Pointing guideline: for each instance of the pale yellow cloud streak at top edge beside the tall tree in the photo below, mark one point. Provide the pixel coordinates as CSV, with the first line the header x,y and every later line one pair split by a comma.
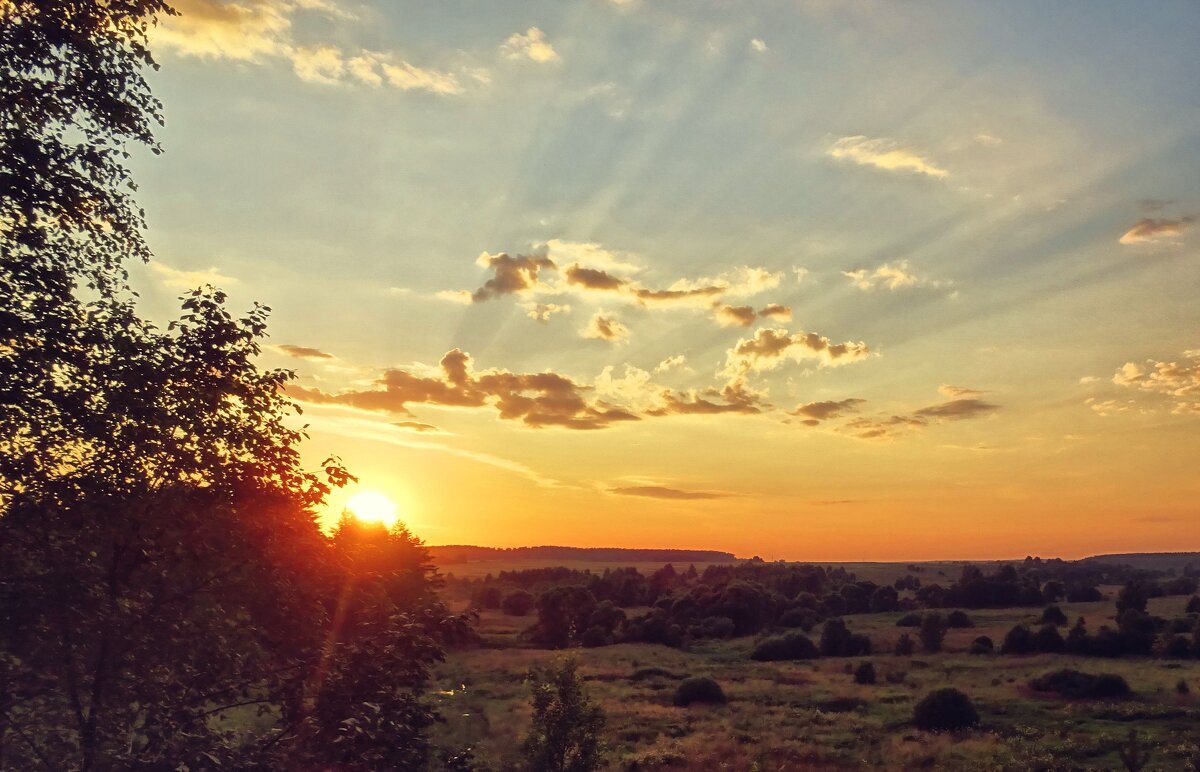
x,y
261,31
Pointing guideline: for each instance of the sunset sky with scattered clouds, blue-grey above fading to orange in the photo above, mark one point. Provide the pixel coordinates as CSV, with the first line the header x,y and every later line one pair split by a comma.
x,y
830,280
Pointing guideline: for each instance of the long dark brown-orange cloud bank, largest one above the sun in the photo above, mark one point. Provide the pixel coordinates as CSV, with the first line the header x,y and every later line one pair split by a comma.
x,y
542,399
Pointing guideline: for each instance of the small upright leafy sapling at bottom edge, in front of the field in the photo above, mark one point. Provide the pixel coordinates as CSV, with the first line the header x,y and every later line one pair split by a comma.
x,y
566,733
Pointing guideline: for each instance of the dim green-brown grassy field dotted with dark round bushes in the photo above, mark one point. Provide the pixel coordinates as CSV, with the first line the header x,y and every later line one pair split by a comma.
x,y
813,716
